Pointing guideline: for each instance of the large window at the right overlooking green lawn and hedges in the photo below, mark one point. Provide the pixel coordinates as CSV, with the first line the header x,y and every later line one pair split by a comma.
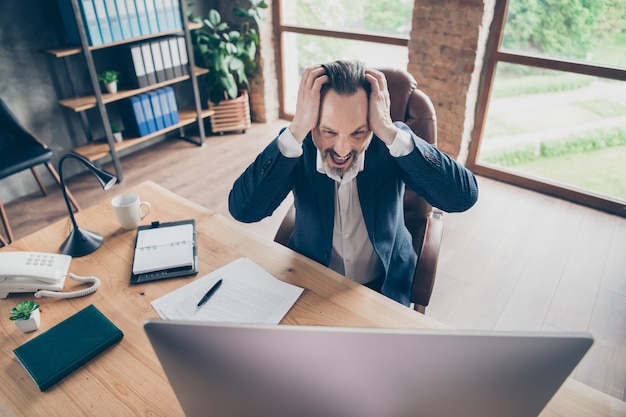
x,y
554,118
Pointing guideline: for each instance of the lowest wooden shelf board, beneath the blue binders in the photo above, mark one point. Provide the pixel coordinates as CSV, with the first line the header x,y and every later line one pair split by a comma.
x,y
99,150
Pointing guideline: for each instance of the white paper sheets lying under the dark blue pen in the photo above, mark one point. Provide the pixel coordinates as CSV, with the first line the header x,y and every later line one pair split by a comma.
x,y
248,294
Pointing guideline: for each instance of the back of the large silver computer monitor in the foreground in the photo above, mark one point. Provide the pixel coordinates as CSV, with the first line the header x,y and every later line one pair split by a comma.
x,y
231,370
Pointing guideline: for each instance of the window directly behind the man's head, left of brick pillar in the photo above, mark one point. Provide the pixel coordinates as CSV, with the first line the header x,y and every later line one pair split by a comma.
x,y
315,32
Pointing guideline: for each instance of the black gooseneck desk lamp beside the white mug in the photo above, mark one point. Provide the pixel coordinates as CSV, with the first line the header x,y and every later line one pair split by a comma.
x,y
82,242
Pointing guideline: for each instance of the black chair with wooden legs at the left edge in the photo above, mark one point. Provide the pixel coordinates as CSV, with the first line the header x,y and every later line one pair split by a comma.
x,y
21,150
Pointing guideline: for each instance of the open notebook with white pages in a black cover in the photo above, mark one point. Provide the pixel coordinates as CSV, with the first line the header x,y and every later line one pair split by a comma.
x,y
165,250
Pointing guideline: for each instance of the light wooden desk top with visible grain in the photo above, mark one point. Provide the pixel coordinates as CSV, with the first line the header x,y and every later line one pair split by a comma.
x,y
128,379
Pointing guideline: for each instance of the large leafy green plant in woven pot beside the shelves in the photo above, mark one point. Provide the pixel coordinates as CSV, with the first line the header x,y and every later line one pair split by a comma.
x,y
229,52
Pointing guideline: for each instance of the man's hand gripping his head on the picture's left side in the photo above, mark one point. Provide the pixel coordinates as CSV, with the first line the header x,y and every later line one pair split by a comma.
x,y
308,102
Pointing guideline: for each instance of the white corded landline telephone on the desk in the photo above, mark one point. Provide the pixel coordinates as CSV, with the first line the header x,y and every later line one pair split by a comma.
x,y
41,273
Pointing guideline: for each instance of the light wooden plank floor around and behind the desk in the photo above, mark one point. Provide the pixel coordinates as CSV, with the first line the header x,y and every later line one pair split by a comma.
x,y
518,260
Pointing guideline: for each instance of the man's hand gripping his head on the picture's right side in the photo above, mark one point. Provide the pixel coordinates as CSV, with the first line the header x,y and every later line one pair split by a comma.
x,y
379,117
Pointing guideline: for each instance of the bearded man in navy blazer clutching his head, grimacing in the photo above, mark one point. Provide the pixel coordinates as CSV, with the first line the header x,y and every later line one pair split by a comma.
x,y
347,164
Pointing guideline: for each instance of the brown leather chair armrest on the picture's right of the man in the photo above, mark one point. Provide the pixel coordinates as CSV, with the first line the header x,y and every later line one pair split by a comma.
x,y
426,269
